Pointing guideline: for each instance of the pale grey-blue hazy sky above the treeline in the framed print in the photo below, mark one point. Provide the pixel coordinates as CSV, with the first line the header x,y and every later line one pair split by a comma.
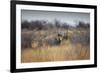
x,y
70,17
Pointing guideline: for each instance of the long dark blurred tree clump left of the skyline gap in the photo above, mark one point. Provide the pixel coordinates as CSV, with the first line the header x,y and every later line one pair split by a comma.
x,y
43,25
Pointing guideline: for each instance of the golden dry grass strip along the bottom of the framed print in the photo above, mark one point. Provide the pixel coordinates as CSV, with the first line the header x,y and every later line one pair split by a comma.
x,y
64,52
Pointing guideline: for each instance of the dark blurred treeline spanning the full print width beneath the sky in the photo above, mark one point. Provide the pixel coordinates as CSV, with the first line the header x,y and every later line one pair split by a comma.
x,y
41,24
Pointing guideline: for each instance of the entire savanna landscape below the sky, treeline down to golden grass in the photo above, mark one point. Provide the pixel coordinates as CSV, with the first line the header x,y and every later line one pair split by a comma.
x,y
43,41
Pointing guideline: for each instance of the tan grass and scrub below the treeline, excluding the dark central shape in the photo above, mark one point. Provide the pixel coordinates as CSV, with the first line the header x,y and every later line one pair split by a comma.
x,y
37,49
